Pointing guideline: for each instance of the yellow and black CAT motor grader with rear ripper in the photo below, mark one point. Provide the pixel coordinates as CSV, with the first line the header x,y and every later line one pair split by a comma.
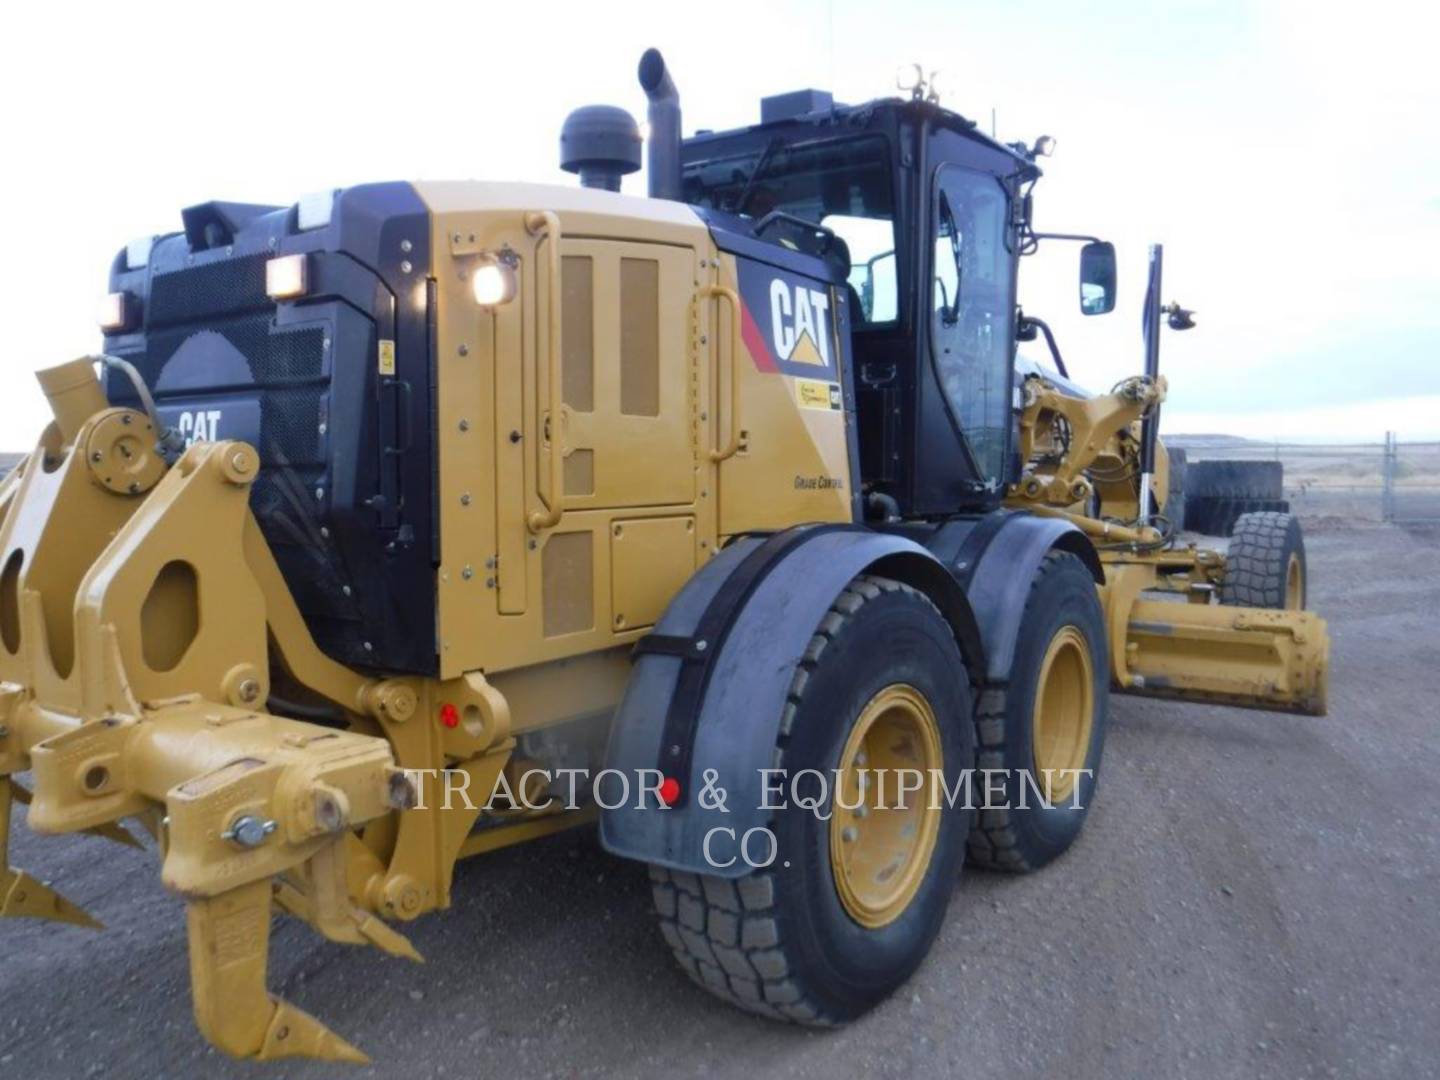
x,y
492,482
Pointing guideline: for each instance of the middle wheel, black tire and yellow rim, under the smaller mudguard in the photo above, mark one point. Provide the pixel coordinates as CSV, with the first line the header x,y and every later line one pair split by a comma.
x,y
1063,624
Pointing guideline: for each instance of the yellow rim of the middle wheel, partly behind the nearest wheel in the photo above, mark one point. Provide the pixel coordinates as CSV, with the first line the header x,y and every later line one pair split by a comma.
x,y
1065,714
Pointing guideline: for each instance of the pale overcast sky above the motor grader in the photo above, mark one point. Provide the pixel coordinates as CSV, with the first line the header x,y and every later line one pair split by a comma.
x,y
1287,156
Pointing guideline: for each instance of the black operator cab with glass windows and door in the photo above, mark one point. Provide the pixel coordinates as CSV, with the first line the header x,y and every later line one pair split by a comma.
x,y
921,220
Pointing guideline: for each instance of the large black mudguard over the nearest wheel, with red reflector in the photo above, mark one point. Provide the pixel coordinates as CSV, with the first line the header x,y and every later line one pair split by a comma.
x,y
709,686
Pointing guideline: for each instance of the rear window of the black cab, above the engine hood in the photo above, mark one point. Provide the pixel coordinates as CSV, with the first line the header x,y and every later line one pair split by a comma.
x,y
840,185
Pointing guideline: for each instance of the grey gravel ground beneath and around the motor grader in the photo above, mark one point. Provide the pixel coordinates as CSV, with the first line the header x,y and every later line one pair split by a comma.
x,y
1255,895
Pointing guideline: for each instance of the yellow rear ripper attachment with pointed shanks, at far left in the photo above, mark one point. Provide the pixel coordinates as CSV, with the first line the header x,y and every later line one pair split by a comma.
x,y
138,606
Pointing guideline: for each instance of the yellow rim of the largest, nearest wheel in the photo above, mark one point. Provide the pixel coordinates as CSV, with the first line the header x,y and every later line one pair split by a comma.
x,y
881,846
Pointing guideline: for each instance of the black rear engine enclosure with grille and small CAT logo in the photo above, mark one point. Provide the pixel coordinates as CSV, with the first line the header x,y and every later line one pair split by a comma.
x,y
345,495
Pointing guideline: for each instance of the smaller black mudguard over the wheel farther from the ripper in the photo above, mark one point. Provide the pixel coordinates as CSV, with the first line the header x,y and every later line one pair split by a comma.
x,y
996,558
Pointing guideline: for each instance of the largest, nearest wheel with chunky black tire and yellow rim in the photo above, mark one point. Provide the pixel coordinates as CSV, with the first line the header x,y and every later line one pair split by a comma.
x,y
790,941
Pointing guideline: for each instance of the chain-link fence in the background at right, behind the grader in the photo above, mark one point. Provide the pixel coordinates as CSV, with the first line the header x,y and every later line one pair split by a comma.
x,y
1374,482
